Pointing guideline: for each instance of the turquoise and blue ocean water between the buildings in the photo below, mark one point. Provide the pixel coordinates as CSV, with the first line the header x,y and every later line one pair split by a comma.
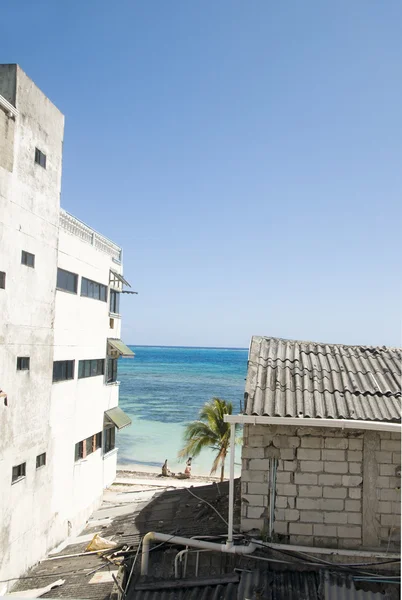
x,y
162,389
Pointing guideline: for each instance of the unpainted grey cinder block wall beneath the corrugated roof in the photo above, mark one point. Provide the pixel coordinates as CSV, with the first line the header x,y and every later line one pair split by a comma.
x,y
326,480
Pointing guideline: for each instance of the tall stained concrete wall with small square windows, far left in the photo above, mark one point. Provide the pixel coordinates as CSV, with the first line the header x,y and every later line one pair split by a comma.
x,y
29,215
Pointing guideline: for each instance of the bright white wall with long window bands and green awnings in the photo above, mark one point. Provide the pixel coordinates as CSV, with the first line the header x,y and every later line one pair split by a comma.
x,y
81,330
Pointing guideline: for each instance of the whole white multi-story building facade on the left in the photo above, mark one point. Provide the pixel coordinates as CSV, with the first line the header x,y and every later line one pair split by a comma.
x,y
60,284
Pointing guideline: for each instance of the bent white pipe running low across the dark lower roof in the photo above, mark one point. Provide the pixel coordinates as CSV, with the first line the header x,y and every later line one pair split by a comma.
x,y
173,539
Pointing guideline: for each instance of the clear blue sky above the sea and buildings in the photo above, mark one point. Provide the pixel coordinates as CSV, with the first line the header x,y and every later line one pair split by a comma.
x,y
246,155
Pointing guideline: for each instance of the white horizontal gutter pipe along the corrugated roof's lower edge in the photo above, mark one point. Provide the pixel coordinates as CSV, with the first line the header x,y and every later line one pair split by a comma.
x,y
305,421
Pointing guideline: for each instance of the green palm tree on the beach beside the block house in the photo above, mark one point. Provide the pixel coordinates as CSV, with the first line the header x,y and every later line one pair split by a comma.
x,y
209,431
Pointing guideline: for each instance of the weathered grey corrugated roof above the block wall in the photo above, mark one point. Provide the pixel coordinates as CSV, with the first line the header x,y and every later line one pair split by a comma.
x,y
305,379
